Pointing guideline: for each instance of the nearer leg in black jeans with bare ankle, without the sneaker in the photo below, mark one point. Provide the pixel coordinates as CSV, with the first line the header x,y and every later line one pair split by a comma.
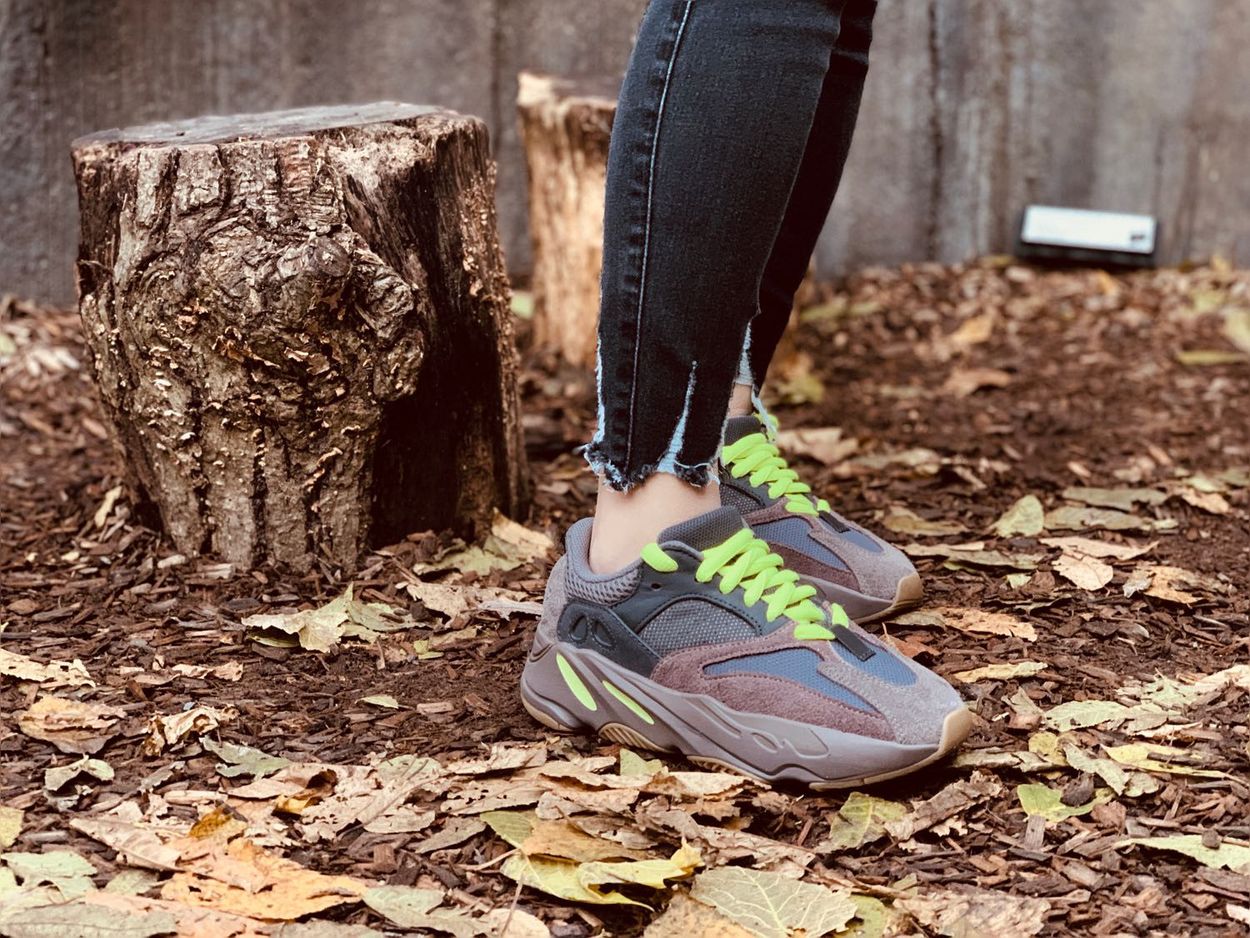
x,y
712,127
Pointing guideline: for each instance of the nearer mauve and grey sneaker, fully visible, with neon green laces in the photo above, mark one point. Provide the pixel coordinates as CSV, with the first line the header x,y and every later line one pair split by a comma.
x,y
711,647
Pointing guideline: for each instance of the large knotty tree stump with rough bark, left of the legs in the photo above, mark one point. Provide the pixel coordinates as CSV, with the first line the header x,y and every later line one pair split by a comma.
x,y
301,327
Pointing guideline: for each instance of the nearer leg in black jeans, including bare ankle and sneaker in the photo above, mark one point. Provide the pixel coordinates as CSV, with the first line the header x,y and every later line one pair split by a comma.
x,y
696,637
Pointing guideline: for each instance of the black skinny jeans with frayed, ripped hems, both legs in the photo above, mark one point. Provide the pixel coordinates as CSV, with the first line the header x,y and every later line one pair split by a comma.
x,y
733,127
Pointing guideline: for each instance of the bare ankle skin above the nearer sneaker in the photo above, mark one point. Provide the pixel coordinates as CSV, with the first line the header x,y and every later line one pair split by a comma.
x,y
626,522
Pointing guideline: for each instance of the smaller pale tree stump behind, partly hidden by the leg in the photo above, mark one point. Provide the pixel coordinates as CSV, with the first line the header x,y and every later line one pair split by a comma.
x,y
566,127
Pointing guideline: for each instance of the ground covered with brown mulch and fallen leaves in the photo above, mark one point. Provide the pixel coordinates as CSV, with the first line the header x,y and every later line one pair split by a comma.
x,y
192,750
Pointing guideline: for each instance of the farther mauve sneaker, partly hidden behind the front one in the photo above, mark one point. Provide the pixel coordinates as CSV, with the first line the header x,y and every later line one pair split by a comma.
x,y
869,578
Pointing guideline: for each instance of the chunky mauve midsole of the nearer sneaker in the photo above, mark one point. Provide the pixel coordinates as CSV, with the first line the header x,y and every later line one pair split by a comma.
x,y
697,725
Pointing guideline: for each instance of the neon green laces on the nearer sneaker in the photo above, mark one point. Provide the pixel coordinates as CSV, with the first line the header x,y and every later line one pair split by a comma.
x,y
746,561
